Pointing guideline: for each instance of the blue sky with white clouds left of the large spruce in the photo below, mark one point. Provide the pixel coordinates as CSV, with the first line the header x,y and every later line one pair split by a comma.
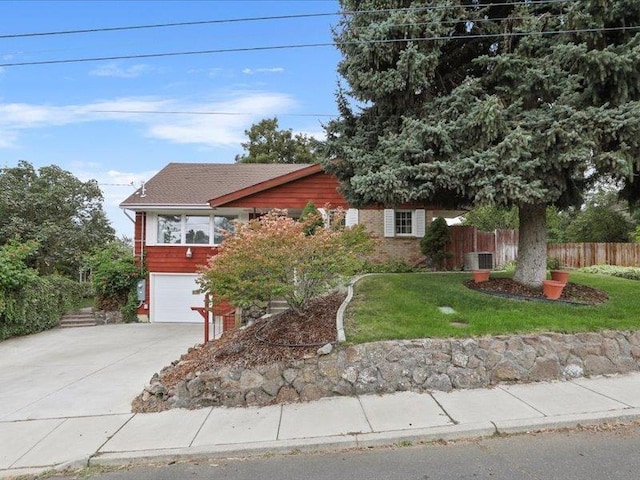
x,y
54,114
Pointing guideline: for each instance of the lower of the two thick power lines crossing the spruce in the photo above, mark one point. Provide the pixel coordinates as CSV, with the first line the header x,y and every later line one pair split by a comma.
x,y
317,45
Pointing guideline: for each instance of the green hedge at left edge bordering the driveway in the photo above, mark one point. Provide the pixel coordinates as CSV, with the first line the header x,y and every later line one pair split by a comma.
x,y
30,303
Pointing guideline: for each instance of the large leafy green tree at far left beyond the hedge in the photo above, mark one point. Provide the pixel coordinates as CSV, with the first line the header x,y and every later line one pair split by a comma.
x,y
53,208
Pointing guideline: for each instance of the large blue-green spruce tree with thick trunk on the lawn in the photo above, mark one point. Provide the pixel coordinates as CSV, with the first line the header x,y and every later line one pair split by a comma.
x,y
512,103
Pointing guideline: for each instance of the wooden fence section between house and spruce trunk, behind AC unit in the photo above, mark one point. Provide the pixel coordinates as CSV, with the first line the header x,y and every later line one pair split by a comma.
x,y
502,243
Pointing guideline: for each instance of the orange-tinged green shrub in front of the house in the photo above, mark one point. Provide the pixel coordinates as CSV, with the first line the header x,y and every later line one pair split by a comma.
x,y
272,257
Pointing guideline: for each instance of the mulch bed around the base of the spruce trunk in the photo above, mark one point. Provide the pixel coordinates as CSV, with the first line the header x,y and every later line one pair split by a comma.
x,y
572,293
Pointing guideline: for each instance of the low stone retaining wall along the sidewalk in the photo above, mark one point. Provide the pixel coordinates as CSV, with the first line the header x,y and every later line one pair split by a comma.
x,y
418,365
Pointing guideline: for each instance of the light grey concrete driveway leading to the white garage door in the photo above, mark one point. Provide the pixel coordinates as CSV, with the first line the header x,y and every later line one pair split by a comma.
x,y
86,371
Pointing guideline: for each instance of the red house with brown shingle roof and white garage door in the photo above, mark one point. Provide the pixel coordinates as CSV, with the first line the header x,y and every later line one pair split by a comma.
x,y
180,214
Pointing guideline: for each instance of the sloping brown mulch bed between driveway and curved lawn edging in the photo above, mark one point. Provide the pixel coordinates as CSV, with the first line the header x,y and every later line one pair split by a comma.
x,y
286,337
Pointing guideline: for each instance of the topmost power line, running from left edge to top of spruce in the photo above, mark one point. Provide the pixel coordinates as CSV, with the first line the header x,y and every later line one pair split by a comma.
x,y
275,17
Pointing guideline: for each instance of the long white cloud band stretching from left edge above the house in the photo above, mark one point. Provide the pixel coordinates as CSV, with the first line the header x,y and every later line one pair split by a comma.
x,y
237,112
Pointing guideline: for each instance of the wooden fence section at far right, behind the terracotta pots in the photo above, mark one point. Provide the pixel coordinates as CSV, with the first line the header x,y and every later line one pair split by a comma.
x,y
577,255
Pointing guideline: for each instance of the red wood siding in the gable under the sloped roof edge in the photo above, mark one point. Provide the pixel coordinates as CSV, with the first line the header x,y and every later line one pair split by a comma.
x,y
321,188
